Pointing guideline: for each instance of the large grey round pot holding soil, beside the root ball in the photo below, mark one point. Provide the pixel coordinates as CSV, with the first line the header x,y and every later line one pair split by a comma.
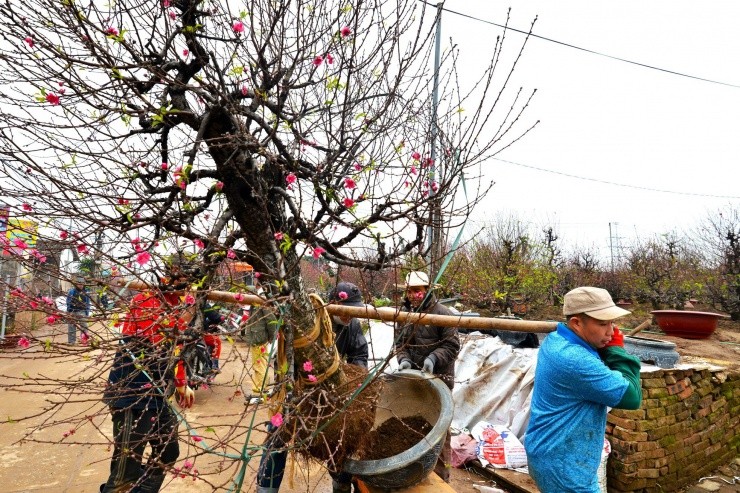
x,y
408,393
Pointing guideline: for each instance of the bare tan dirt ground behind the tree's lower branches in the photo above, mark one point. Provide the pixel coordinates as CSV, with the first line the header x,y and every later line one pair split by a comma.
x,y
40,455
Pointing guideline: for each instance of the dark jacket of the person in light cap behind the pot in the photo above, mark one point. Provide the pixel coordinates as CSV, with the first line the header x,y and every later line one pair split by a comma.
x,y
416,342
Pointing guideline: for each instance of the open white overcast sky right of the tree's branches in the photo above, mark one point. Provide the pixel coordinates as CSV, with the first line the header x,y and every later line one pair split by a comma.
x,y
613,121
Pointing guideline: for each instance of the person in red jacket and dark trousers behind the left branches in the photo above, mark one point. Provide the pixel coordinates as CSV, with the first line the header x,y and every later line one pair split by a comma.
x,y
139,384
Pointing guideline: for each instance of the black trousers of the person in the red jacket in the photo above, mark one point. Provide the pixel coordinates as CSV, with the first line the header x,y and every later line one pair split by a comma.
x,y
133,429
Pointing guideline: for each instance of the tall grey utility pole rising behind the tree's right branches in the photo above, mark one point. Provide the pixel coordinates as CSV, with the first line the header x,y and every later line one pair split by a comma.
x,y
434,229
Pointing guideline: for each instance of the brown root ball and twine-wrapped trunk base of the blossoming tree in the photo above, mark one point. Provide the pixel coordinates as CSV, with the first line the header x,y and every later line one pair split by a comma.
x,y
328,420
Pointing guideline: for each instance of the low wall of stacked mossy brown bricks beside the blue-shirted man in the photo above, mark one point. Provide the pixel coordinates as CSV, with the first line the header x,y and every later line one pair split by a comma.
x,y
687,426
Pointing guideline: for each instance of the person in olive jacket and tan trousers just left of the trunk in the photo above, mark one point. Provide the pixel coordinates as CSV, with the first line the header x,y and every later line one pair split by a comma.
x,y
261,330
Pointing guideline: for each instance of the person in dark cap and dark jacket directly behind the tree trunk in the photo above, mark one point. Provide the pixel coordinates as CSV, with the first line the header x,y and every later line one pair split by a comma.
x,y
352,347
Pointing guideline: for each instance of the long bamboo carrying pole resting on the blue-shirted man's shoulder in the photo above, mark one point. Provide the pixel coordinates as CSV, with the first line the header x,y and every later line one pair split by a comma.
x,y
385,314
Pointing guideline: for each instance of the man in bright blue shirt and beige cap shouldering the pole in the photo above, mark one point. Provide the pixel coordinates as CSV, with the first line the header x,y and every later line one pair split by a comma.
x,y
581,369
